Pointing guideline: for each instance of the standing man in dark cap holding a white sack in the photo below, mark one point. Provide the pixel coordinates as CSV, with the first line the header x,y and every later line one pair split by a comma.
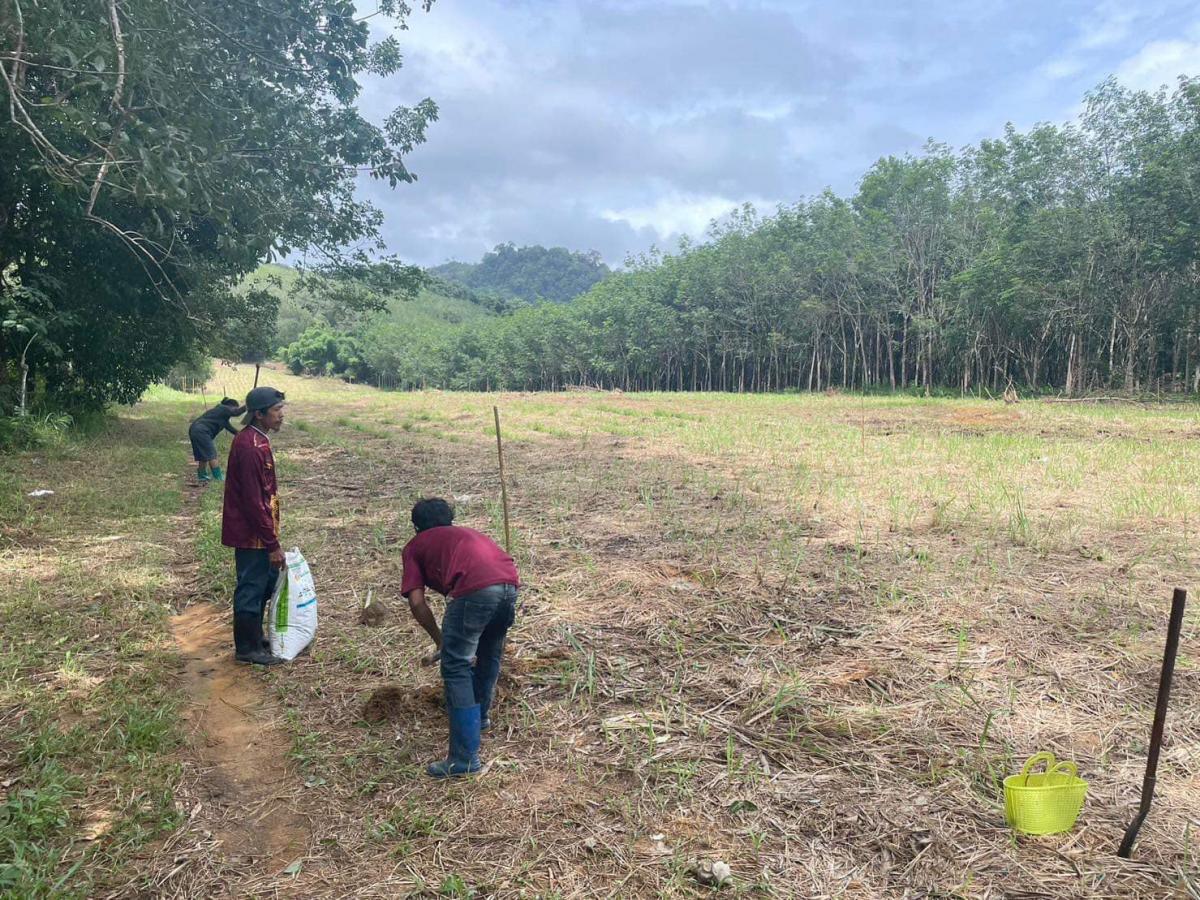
x,y
250,523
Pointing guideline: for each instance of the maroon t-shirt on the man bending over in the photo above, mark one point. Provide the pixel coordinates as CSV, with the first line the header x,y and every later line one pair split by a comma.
x,y
455,561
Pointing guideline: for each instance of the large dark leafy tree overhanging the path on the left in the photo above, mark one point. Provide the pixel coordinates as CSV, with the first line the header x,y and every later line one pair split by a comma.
x,y
154,152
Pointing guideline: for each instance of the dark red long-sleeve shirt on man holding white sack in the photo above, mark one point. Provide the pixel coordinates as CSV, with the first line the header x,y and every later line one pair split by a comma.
x,y
251,515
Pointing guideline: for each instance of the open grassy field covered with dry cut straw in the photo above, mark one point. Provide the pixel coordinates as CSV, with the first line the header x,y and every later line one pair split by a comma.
x,y
806,635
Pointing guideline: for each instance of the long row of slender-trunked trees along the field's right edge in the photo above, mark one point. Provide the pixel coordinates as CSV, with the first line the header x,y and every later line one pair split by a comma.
x,y
1063,259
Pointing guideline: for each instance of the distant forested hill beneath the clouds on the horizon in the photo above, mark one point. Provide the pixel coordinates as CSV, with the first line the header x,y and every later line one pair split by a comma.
x,y
530,274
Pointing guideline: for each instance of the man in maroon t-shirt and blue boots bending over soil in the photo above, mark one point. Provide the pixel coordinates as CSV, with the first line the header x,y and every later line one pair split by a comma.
x,y
481,584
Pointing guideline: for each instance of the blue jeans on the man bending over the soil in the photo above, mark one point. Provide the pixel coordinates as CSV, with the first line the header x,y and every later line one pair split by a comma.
x,y
476,626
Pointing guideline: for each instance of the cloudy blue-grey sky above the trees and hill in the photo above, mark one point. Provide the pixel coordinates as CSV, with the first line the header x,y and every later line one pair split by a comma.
x,y
615,127
